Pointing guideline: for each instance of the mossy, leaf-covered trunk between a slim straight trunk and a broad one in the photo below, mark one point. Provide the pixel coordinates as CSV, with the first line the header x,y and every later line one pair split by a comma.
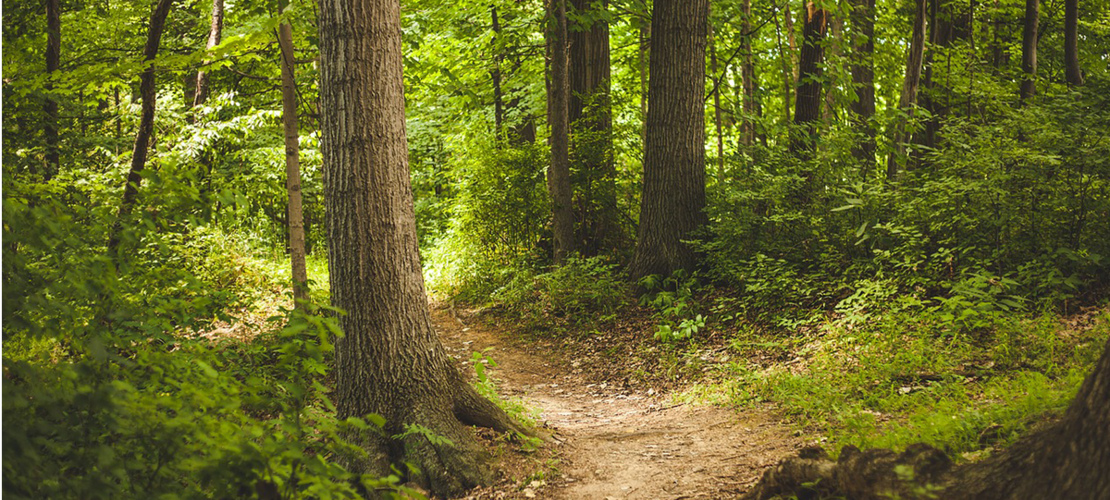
x,y
591,126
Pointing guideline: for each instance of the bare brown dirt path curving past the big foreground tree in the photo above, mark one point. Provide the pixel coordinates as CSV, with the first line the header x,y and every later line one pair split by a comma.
x,y
618,443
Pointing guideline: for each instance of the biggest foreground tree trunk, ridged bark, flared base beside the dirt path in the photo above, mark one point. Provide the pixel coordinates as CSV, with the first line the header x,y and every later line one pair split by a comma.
x,y
390,361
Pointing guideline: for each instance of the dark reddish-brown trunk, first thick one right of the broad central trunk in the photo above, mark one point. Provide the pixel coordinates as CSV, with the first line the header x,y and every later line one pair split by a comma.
x,y
808,105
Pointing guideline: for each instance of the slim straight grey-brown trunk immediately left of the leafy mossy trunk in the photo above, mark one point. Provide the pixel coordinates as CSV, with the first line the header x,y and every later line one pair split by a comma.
x,y
559,174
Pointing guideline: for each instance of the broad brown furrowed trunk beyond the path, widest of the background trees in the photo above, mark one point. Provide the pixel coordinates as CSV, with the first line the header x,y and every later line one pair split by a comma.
x,y
674,159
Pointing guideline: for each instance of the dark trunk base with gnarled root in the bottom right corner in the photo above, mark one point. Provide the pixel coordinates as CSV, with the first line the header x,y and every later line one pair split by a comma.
x,y
1069,459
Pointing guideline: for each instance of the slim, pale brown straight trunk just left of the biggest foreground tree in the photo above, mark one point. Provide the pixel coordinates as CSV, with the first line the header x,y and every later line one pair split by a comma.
x,y
294,166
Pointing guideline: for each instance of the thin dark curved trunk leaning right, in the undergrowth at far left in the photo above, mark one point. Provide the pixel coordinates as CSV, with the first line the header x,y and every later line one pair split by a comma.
x,y
147,92
